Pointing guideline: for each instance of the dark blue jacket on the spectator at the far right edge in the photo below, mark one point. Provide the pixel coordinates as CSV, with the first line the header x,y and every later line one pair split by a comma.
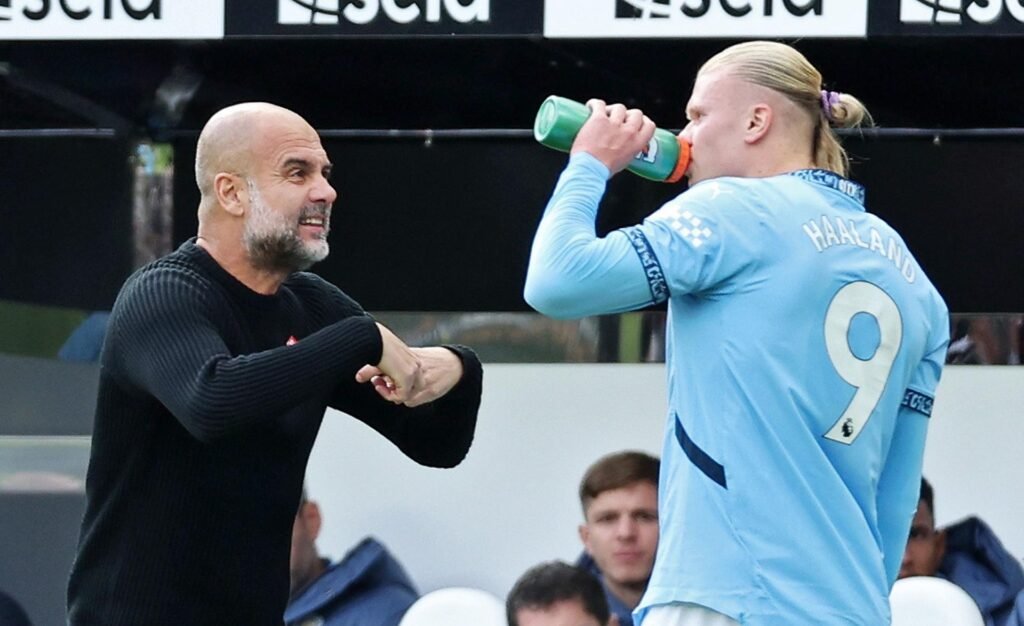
x,y
977,562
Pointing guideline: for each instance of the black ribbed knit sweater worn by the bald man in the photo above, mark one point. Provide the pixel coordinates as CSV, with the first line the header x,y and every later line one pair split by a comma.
x,y
204,424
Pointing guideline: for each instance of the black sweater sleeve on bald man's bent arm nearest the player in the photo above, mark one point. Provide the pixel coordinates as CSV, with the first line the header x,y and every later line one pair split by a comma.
x,y
439,434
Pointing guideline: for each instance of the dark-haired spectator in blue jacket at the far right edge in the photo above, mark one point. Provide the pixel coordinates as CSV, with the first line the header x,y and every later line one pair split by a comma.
x,y
967,554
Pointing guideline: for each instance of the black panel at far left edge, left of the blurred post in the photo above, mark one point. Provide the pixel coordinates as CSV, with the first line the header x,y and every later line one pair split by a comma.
x,y
66,222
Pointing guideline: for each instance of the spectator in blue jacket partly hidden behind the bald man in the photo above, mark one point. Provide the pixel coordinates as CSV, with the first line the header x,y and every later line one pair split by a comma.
x,y
368,588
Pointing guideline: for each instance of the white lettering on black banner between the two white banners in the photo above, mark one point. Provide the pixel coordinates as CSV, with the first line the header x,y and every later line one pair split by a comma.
x,y
365,12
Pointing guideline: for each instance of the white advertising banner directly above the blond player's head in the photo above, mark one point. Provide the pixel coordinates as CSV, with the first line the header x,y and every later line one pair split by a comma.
x,y
705,19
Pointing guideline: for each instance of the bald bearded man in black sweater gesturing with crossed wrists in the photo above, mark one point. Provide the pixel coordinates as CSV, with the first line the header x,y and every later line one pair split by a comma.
x,y
220,362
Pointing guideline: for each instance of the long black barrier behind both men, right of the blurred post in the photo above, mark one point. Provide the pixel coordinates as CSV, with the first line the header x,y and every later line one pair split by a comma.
x,y
447,225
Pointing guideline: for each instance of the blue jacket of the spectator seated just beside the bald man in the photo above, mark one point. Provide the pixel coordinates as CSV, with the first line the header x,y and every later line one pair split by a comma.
x,y
367,589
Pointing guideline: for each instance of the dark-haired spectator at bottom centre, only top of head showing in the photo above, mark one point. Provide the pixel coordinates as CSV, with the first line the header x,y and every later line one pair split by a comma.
x,y
556,595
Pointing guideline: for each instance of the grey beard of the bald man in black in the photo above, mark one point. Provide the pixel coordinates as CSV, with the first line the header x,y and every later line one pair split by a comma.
x,y
274,244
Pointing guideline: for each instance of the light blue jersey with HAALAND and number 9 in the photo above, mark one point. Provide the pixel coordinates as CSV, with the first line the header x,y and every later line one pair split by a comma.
x,y
804,349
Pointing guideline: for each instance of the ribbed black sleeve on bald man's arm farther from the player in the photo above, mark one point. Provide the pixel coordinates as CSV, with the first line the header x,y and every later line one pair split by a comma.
x,y
165,341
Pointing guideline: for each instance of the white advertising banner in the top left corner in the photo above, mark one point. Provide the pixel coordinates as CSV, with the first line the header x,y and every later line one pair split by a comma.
x,y
22,20
